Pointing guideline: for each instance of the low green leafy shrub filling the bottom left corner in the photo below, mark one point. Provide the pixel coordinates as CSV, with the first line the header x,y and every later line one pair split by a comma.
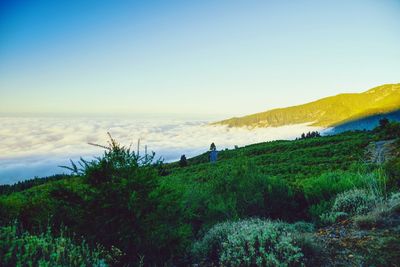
x,y
24,249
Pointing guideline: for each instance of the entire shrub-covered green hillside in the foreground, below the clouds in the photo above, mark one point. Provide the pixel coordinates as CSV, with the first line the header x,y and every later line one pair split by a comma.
x,y
134,212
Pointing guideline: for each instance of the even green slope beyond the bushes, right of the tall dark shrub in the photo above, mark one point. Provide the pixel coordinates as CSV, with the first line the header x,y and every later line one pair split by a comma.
x,y
288,159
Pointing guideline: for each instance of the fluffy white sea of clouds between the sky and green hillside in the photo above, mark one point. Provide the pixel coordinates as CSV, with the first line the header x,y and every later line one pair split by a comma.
x,y
32,147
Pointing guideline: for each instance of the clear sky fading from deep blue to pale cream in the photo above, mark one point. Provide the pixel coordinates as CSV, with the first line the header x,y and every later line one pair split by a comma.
x,y
192,57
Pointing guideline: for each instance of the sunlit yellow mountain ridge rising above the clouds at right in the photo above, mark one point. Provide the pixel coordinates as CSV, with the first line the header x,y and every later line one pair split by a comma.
x,y
326,112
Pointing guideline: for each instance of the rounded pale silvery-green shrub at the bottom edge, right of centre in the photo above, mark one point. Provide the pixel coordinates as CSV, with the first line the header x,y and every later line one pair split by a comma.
x,y
251,242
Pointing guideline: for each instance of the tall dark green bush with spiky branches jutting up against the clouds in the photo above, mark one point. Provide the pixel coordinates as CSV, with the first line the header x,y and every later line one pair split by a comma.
x,y
118,212
